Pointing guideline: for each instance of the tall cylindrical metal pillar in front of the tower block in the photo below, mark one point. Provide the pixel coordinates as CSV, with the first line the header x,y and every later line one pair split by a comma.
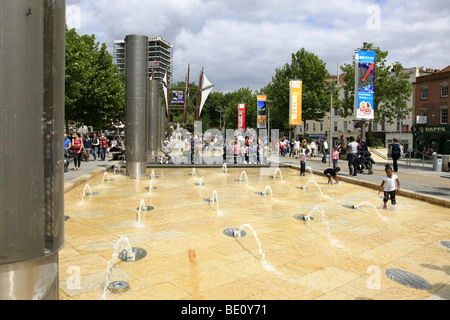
x,y
136,68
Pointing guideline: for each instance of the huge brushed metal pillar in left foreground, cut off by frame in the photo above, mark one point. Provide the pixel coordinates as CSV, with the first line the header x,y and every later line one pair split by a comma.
x,y
32,54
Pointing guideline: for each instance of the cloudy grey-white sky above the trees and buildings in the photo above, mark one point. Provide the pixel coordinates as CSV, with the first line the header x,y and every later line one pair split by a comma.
x,y
240,43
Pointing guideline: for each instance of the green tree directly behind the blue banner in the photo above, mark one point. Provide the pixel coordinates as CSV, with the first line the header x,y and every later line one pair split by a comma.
x,y
392,89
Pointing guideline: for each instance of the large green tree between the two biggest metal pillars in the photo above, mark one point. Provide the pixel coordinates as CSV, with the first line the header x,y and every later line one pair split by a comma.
x,y
95,89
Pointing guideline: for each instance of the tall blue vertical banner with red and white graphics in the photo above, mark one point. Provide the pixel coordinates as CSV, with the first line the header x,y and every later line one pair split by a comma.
x,y
365,76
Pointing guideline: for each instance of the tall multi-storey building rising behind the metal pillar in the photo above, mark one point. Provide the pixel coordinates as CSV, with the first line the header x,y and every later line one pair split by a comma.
x,y
160,57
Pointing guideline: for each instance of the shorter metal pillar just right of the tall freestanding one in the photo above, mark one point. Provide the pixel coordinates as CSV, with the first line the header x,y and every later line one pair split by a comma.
x,y
153,127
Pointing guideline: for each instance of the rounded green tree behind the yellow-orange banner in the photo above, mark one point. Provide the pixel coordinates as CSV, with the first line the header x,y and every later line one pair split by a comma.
x,y
312,71
